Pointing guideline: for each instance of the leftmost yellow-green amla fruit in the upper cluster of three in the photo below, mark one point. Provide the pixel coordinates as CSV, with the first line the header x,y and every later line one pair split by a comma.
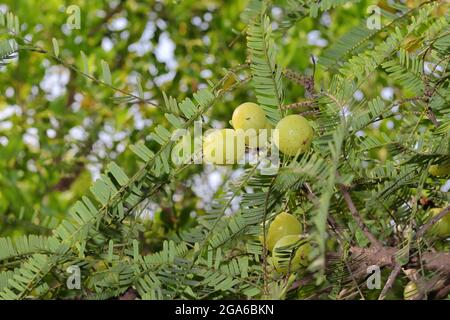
x,y
223,147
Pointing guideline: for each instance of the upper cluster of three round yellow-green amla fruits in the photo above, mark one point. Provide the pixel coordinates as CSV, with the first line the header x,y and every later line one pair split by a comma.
x,y
252,129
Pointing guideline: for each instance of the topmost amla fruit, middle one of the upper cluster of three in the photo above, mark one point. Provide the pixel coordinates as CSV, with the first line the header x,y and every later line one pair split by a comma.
x,y
249,116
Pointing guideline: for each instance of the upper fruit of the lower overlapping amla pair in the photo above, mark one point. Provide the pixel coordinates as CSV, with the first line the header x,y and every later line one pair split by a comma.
x,y
283,225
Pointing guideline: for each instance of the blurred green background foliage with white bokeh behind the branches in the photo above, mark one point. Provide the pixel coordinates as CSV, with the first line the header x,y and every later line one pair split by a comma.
x,y
58,129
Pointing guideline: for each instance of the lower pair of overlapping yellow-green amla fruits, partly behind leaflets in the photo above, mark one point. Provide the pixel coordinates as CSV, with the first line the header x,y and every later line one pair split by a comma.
x,y
284,240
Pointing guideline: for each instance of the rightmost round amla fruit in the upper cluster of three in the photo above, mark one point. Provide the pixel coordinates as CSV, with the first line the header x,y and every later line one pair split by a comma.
x,y
294,135
